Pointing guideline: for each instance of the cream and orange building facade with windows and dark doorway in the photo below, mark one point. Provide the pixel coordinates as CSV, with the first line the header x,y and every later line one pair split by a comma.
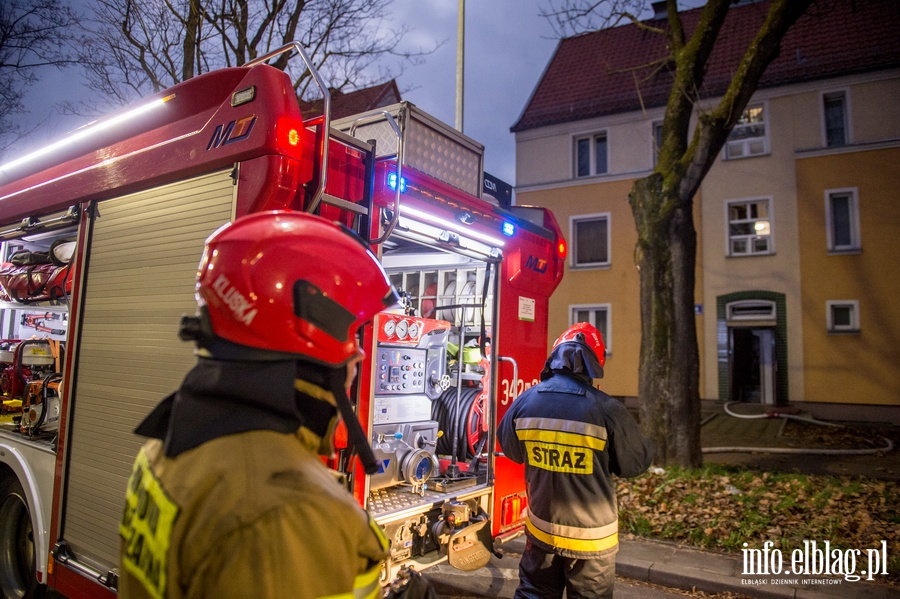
x,y
797,271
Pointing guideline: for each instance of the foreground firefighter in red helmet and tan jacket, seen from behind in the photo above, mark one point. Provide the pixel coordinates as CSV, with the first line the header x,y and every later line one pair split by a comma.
x,y
230,498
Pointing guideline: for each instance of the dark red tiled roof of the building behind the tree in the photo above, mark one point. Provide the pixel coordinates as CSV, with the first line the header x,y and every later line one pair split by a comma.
x,y
606,72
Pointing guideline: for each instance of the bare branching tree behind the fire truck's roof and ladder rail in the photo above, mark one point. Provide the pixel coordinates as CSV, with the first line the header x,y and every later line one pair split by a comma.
x,y
131,48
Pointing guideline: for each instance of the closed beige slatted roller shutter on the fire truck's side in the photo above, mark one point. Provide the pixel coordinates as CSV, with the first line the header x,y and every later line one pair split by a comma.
x,y
144,250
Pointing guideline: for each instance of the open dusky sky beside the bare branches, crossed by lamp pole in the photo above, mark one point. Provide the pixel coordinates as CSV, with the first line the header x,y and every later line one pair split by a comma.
x,y
507,48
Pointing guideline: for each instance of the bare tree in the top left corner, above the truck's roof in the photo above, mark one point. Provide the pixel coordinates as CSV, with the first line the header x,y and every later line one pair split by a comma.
x,y
32,38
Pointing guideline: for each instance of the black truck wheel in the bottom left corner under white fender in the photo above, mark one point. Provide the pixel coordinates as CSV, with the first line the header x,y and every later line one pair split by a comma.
x,y
18,578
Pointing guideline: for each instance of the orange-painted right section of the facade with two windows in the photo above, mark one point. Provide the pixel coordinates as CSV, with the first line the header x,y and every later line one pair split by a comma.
x,y
851,330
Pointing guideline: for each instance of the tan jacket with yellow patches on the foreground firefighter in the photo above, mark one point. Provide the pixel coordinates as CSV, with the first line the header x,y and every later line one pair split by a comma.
x,y
247,514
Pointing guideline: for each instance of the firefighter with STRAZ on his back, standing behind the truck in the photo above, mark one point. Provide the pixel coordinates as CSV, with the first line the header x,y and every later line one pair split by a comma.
x,y
572,438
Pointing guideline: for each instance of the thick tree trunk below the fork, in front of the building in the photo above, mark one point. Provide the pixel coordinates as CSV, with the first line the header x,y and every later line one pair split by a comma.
x,y
669,361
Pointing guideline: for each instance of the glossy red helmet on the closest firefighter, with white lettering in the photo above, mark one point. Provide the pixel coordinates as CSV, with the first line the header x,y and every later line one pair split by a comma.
x,y
292,283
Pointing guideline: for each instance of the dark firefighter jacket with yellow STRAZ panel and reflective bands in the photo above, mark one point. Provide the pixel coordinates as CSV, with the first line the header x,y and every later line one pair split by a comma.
x,y
572,438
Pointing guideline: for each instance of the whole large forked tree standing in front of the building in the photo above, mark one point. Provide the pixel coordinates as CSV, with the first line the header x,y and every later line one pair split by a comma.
x,y
662,203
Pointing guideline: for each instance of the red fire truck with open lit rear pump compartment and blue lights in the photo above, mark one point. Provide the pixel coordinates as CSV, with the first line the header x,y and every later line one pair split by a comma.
x,y
101,236
